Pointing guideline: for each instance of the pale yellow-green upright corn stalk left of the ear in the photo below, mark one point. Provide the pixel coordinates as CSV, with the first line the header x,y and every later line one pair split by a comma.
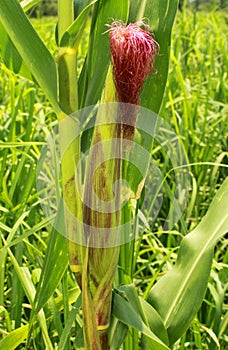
x,y
68,97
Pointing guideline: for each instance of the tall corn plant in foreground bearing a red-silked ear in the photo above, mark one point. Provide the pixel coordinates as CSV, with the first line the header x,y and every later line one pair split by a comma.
x,y
98,112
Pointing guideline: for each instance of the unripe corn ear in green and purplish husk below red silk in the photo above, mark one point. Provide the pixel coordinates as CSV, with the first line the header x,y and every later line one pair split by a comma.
x,y
101,260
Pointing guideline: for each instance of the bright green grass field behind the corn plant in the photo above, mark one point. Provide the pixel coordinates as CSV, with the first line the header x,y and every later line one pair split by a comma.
x,y
195,105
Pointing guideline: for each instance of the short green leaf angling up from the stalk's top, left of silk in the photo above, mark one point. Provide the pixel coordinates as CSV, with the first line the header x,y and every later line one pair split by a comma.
x,y
73,34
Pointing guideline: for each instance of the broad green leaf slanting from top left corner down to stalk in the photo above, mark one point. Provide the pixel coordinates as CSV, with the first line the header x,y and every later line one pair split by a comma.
x,y
30,47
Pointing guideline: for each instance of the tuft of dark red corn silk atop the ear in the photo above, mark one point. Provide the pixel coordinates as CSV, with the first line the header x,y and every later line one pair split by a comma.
x,y
133,51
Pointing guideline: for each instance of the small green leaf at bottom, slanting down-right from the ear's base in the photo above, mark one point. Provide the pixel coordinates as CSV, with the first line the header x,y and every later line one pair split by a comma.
x,y
124,311
